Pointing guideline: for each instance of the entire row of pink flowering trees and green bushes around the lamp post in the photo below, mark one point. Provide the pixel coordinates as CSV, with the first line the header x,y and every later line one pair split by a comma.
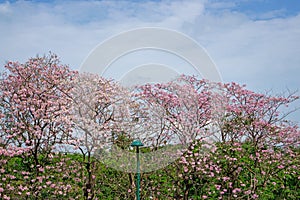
x,y
55,122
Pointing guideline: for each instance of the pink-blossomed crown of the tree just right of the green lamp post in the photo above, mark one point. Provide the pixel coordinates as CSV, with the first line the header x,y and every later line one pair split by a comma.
x,y
178,111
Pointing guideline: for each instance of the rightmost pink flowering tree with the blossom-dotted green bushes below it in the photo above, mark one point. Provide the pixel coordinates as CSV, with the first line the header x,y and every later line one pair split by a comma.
x,y
256,154
